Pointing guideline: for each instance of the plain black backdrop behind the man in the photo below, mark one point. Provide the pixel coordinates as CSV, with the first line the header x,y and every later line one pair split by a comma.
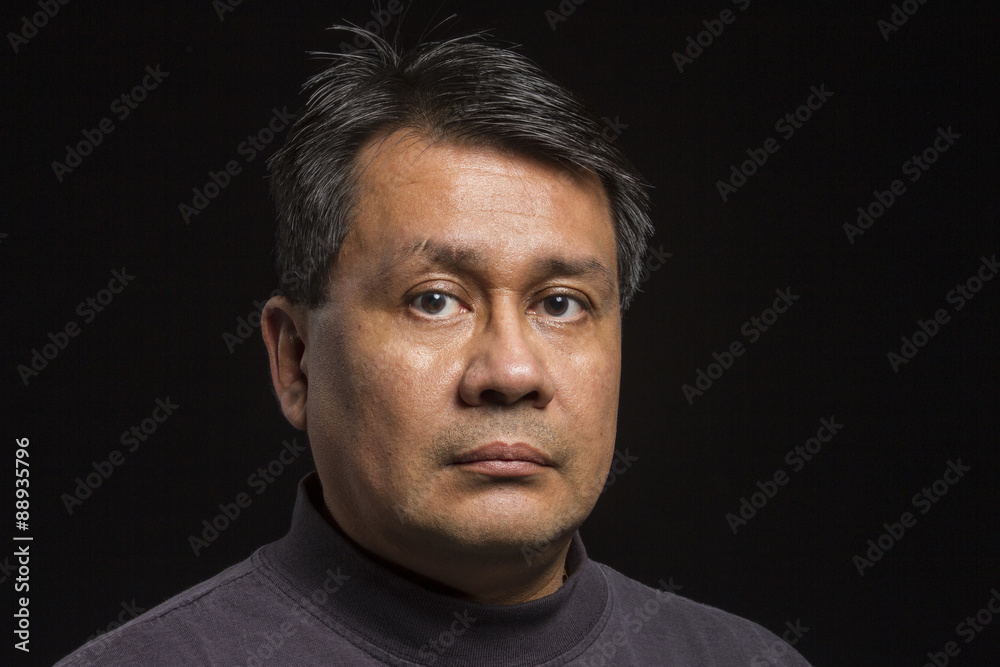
x,y
888,93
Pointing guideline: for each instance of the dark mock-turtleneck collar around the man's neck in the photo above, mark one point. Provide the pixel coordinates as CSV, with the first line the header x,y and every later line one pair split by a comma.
x,y
403,618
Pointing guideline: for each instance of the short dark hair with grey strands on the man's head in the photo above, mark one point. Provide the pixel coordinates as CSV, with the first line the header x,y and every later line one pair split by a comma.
x,y
465,90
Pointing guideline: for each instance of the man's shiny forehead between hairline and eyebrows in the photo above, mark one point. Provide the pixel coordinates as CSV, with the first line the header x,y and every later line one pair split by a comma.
x,y
414,189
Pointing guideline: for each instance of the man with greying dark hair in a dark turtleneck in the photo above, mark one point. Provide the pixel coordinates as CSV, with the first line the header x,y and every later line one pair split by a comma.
x,y
457,243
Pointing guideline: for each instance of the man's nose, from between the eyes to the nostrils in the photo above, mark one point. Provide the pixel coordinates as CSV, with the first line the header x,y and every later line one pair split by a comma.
x,y
507,363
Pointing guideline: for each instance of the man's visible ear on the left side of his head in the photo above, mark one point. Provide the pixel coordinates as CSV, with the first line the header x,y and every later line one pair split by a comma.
x,y
283,326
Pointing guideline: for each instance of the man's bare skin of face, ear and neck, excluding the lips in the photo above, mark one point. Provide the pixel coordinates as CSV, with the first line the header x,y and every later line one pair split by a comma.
x,y
444,331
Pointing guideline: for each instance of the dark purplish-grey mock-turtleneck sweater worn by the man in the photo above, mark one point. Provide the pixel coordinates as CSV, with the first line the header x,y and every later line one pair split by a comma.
x,y
312,598
